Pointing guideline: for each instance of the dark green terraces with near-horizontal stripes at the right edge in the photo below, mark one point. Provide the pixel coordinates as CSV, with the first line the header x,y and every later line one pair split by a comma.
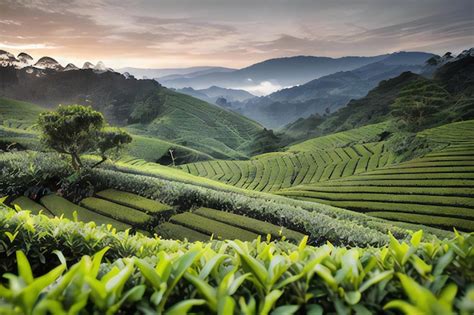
x,y
437,189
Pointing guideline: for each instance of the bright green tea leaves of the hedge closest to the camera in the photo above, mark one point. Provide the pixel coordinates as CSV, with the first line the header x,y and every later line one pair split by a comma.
x,y
139,275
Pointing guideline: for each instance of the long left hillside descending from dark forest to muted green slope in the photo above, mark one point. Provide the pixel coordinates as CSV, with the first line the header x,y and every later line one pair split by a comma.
x,y
143,106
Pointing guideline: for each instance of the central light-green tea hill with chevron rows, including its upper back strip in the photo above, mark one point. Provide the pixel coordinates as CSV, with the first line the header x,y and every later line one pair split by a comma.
x,y
320,159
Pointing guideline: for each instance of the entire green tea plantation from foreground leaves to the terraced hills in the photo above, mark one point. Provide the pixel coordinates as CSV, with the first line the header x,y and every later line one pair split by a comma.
x,y
357,222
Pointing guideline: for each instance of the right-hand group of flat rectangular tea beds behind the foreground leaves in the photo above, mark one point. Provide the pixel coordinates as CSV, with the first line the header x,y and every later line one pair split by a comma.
x,y
203,223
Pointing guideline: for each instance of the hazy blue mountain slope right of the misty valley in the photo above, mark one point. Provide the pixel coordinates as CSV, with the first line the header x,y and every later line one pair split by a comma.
x,y
328,93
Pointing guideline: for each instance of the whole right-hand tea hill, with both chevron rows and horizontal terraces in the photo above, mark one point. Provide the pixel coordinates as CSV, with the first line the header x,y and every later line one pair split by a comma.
x,y
351,170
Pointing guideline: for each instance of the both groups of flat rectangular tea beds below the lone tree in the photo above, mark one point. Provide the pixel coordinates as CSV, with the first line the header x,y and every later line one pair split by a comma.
x,y
125,210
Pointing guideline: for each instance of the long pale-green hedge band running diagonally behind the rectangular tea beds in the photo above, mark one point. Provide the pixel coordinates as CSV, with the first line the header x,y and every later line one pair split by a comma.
x,y
321,222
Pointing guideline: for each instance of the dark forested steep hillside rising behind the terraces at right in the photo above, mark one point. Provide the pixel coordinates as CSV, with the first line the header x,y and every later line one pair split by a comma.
x,y
452,82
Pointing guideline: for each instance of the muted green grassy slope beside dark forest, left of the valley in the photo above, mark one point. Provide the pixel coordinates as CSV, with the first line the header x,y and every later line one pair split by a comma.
x,y
202,126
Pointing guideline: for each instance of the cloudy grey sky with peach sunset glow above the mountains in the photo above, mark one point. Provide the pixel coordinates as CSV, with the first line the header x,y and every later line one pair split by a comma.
x,y
230,33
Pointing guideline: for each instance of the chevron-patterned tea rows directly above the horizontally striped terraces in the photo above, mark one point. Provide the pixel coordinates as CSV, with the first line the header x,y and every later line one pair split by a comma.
x,y
274,171
